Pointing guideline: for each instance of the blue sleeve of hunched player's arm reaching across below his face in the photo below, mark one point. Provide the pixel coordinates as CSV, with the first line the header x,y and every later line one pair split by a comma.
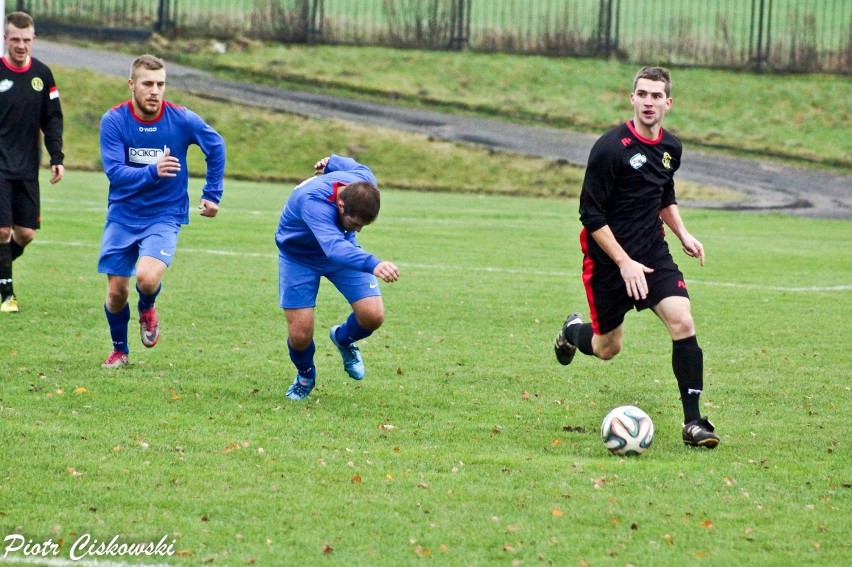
x,y
322,221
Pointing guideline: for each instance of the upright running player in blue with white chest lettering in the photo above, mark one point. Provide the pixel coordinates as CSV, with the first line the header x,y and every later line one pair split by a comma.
x,y
144,142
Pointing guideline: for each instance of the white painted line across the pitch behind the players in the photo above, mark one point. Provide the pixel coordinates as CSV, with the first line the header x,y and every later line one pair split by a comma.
x,y
491,269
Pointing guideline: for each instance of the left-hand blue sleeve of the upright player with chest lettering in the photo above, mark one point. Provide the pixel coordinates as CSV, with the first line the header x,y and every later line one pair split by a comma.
x,y
124,180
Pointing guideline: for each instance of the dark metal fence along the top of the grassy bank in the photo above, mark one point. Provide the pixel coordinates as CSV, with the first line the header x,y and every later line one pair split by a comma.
x,y
779,35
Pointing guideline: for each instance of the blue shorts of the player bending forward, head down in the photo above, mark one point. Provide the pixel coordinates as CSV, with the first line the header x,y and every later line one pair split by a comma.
x,y
298,284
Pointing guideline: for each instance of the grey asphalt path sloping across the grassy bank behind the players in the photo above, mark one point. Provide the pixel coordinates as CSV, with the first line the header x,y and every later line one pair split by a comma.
x,y
766,185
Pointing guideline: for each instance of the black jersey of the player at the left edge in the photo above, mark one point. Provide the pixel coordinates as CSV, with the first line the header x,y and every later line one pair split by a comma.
x,y
29,102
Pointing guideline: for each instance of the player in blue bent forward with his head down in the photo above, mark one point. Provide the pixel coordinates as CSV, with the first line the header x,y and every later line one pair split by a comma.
x,y
316,237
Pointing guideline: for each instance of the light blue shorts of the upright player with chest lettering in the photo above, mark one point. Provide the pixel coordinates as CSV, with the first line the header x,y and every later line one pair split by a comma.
x,y
122,245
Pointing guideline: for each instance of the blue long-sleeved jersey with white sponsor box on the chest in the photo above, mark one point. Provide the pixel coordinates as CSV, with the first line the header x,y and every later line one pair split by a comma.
x,y
130,148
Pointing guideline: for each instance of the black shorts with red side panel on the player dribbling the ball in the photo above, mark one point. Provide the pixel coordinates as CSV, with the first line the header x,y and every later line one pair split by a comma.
x,y
607,292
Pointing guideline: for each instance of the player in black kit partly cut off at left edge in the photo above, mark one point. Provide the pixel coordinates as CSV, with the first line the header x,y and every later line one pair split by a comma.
x,y
29,102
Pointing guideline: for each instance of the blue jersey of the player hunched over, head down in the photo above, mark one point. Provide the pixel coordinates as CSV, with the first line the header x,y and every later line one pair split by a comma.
x,y
310,231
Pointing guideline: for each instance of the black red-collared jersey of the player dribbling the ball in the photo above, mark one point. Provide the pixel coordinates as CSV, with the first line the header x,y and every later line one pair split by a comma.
x,y
629,179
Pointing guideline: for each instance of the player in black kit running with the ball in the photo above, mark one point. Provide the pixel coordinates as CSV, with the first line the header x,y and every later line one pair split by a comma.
x,y
627,196
